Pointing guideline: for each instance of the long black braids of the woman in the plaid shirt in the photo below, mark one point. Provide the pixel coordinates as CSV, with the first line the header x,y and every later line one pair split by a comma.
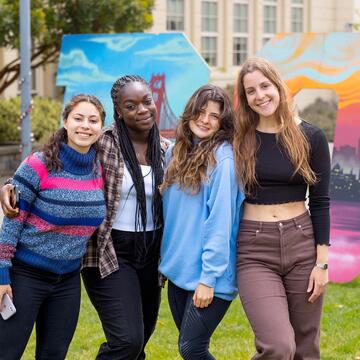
x,y
153,156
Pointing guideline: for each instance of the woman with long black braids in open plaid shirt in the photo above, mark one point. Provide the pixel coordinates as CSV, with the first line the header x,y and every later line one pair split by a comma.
x,y
120,267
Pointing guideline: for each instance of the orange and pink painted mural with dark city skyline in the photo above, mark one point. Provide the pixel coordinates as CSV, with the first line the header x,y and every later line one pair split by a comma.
x,y
331,61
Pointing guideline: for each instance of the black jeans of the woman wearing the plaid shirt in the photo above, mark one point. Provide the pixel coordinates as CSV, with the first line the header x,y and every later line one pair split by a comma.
x,y
128,300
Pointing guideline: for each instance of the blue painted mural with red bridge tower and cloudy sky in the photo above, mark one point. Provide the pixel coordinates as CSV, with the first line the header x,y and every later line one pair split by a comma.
x,y
91,63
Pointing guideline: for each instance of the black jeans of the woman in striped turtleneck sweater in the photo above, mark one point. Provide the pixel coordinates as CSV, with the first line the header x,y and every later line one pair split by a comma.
x,y
51,301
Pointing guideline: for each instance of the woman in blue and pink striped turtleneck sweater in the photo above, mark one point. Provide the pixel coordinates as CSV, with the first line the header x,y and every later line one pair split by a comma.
x,y
41,249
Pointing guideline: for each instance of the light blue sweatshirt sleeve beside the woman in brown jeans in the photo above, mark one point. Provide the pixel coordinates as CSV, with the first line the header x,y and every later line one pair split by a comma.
x,y
222,208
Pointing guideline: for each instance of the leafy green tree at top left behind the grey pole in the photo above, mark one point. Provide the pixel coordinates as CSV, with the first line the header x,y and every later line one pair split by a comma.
x,y
50,19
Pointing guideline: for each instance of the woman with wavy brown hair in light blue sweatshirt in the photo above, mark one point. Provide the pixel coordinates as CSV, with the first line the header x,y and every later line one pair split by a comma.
x,y
202,204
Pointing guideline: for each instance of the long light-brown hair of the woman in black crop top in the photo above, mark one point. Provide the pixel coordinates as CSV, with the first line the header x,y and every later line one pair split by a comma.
x,y
290,137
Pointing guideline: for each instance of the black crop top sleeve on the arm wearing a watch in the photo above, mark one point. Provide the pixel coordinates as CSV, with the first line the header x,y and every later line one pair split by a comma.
x,y
319,199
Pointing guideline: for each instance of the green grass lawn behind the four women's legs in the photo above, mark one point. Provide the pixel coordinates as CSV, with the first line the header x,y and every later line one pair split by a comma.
x,y
233,339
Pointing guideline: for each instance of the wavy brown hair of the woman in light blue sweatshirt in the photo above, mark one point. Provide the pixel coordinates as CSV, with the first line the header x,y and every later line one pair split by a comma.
x,y
191,158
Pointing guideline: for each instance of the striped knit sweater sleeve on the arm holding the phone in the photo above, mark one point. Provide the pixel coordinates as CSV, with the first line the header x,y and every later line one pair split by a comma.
x,y
26,178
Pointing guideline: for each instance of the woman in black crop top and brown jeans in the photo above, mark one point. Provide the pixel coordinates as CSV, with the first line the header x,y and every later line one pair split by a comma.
x,y
282,250
